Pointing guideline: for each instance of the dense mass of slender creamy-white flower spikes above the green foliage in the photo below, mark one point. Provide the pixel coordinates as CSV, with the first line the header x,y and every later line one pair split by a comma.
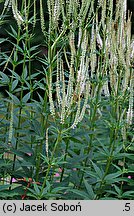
x,y
111,34
